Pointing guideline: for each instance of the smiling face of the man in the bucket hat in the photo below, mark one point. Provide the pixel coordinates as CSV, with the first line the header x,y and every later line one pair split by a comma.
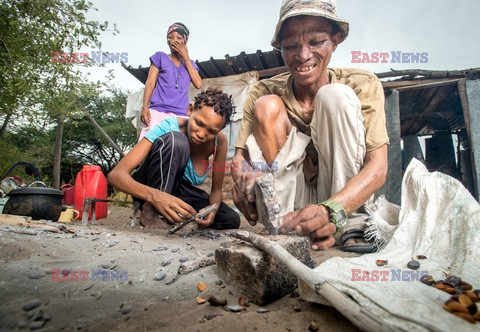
x,y
307,45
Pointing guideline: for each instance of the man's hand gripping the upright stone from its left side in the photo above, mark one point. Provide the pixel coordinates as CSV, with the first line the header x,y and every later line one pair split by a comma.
x,y
244,195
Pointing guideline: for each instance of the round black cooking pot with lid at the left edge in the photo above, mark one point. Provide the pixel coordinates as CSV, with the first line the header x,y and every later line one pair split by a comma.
x,y
36,202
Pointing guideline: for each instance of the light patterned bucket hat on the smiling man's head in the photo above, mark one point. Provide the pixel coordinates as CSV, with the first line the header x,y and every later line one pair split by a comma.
x,y
321,8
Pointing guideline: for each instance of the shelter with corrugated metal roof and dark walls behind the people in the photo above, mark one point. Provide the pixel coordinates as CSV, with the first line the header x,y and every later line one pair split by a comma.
x,y
433,116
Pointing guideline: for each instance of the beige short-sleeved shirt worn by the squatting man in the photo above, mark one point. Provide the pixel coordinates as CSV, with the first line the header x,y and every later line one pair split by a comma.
x,y
366,86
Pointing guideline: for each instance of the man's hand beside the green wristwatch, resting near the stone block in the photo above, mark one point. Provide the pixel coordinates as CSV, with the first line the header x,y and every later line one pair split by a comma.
x,y
313,220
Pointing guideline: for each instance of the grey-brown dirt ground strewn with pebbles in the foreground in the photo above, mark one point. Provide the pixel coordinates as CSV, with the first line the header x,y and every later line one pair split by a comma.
x,y
141,302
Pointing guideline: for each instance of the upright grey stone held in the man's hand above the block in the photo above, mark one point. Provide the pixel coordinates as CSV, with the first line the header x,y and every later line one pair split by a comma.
x,y
267,204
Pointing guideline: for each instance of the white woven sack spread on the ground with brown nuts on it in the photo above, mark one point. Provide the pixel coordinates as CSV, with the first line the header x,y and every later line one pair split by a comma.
x,y
439,219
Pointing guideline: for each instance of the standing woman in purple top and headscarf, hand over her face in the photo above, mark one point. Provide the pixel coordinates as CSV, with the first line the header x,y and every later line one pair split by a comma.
x,y
169,77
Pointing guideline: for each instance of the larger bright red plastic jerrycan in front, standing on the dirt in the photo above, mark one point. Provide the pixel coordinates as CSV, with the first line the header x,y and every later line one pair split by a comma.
x,y
91,183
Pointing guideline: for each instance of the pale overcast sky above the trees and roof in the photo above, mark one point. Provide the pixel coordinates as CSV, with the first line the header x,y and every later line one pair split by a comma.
x,y
446,30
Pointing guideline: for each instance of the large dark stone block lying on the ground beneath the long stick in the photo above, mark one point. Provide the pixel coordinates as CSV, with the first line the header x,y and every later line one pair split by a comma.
x,y
256,274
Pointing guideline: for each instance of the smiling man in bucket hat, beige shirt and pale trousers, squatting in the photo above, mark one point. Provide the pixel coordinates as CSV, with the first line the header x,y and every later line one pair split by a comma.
x,y
321,131
